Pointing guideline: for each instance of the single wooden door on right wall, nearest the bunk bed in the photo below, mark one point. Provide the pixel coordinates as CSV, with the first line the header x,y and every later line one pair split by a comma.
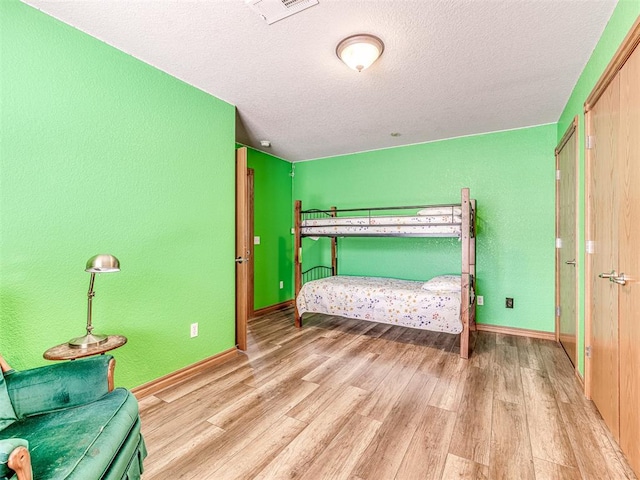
x,y
566,252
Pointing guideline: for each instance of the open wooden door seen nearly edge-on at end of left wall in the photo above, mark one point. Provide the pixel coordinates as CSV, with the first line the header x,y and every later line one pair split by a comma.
x,y
242,248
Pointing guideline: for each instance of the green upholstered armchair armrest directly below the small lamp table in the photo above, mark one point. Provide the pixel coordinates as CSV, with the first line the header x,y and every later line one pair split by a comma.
x,y
61,385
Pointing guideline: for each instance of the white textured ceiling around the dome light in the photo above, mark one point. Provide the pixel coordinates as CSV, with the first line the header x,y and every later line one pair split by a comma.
x,y
450,68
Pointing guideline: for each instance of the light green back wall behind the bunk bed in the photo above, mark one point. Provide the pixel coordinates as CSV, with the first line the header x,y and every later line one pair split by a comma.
x,y
511,174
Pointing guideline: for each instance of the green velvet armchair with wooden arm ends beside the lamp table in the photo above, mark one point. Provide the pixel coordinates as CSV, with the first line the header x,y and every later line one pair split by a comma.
x,y
66,421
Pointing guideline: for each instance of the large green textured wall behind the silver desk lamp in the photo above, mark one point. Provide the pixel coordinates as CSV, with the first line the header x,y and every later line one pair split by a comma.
x,y
101,153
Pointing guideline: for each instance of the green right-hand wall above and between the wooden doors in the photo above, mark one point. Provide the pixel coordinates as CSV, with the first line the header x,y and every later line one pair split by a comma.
x,y
619,24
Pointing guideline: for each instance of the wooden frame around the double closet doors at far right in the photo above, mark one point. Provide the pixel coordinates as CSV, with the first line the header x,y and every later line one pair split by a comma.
x,y
628,45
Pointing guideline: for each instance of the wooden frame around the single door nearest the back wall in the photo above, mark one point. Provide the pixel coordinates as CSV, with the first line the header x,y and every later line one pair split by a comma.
x,y
571,130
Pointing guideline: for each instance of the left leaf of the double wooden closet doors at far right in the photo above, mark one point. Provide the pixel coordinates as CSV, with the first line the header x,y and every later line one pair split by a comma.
x,y
603,254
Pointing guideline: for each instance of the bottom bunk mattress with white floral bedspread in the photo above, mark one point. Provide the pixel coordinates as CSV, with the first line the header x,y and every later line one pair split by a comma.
x,y
385,300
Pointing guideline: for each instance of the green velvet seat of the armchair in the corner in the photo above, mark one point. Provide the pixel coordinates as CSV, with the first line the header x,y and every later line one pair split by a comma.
x,y
99,431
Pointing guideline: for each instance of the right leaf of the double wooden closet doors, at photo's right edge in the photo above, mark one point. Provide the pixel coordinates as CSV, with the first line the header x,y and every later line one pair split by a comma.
x,y
629,258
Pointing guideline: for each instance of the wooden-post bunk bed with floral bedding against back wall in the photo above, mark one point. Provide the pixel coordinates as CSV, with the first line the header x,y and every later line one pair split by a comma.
x,y
445,303
